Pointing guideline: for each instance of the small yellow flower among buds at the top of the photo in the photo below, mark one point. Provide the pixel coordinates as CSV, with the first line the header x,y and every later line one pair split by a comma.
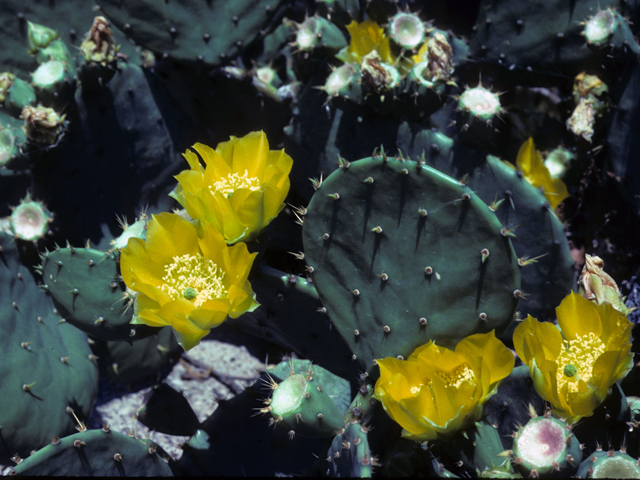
x,y
366,37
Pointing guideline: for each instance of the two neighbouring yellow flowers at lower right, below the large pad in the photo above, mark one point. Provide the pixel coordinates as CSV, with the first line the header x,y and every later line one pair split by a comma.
x,y
436,392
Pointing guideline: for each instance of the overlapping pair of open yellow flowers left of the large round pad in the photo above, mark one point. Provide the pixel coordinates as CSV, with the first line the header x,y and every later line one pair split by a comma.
x,y
192,274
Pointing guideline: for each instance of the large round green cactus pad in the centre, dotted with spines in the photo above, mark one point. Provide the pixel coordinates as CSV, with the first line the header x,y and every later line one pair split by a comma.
x,y
402,254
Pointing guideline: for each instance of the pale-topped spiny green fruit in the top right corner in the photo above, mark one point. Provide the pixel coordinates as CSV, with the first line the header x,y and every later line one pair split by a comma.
x,y
609,28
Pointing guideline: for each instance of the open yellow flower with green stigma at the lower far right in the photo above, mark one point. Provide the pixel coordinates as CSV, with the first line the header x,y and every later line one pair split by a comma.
x,y
574,369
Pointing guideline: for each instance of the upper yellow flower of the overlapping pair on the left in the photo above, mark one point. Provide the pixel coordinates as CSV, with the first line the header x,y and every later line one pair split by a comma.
x,y
241,189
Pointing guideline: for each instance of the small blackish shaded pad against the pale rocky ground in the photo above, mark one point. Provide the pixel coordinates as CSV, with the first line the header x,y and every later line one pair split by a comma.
x,y
168,411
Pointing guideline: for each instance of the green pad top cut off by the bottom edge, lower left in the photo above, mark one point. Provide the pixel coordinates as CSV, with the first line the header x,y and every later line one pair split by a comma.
x,y
95,453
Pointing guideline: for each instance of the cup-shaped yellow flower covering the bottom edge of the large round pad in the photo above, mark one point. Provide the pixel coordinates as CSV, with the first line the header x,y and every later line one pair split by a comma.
x,y
436,391
